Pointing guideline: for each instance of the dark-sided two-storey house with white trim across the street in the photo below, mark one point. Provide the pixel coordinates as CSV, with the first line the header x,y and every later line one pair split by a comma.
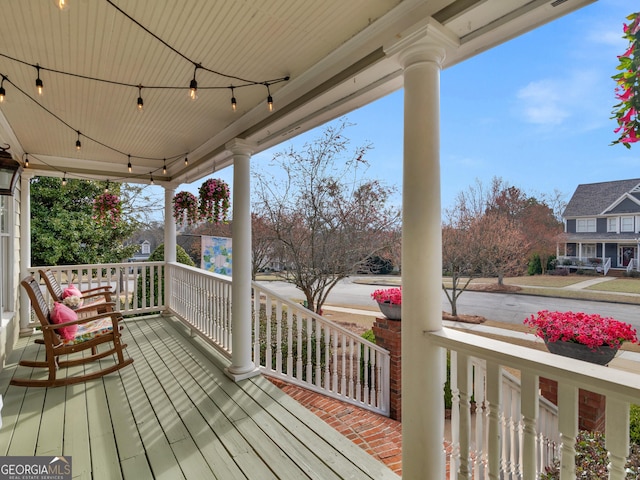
x,y
602,226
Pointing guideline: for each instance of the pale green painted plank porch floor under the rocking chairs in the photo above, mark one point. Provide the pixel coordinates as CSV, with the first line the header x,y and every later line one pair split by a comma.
x,y
173,414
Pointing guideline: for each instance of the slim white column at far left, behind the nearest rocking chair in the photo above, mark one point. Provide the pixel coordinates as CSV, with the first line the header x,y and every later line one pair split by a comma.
x,y
25,249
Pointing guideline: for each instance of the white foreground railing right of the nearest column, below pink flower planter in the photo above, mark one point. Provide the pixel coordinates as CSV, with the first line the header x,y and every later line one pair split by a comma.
x,y
502,420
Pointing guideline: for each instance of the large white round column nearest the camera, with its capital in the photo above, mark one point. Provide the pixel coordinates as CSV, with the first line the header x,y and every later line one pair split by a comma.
x,y
423,364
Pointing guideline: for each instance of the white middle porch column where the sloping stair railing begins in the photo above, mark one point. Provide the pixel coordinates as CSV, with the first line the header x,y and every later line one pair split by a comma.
x,y
242,365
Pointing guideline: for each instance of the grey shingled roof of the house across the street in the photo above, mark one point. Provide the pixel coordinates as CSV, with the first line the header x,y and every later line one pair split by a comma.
x,y
592,199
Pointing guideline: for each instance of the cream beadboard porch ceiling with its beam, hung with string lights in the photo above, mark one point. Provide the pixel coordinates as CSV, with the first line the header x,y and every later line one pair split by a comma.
x,y
332,50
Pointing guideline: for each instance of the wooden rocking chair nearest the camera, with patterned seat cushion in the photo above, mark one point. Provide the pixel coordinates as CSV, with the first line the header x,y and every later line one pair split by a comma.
x,y
92,331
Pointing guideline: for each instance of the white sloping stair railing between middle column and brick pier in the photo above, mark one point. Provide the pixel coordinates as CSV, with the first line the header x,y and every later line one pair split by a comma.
x,y
296,345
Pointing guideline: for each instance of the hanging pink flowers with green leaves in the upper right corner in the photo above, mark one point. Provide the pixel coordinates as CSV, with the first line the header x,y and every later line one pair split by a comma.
x,y
626,113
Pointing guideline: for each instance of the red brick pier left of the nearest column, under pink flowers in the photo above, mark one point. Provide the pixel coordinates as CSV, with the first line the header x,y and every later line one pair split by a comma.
x,y
388,336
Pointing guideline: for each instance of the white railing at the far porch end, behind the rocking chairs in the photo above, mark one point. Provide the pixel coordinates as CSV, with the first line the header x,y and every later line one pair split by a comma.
x,y
136,285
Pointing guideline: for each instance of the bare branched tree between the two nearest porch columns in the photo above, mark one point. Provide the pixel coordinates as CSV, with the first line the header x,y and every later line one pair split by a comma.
x,y
327,220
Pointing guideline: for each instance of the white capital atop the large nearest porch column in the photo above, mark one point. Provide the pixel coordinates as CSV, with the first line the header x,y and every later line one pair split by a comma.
x,y
428,41
